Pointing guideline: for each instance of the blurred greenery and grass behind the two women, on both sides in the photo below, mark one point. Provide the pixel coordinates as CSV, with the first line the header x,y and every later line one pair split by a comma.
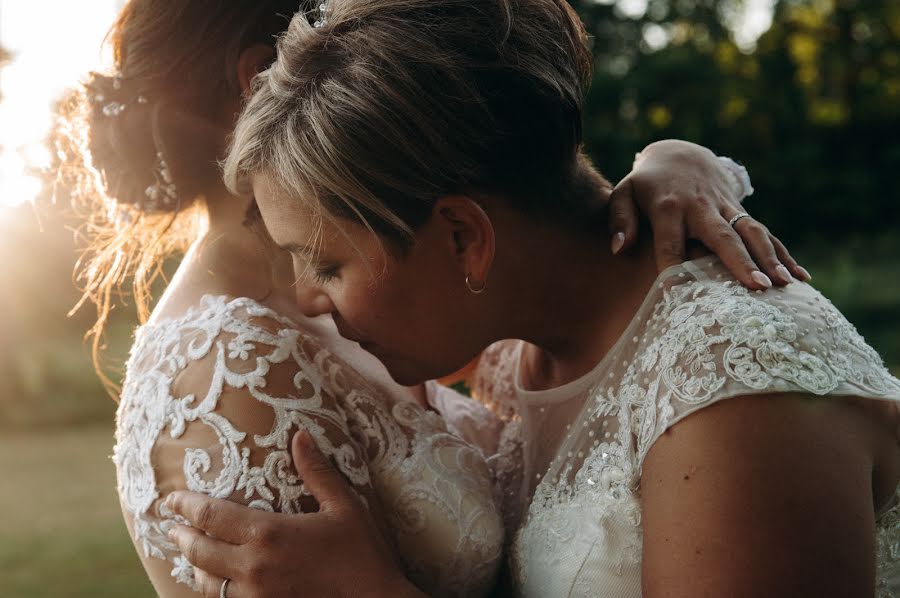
x,y
812,108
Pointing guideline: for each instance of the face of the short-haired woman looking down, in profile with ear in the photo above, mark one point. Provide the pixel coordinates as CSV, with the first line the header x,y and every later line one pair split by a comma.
x,y
409,313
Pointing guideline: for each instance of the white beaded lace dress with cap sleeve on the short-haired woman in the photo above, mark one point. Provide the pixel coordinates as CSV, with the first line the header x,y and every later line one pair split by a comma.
x,y
569,466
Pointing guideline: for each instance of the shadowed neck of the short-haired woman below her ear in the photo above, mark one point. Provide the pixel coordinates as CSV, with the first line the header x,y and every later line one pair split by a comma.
x,y
573,299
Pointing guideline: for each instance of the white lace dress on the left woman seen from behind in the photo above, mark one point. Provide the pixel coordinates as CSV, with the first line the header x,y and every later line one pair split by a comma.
x,y
210,403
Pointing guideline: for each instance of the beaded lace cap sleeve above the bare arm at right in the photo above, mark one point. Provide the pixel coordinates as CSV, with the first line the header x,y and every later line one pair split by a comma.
x,y
718,340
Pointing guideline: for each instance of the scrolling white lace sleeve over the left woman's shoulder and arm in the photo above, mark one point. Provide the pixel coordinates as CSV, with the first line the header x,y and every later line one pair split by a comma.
x,y
209,405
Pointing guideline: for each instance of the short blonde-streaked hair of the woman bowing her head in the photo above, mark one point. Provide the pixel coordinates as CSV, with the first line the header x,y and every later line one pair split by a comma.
x,y
395,103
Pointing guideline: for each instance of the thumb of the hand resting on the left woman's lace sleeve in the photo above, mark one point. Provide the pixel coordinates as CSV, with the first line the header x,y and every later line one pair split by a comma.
x,y
319,474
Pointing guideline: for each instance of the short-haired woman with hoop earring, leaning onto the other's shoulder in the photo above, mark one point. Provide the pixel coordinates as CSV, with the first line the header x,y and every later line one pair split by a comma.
x,y
671,434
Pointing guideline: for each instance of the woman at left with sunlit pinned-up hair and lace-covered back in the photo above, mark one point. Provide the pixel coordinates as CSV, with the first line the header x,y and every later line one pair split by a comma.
x,y
226,368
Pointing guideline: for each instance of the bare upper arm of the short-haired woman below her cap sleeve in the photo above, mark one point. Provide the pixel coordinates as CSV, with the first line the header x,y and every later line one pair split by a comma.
x,y
768,495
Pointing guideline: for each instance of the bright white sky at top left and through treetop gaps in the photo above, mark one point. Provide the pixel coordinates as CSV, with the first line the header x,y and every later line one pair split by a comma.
x,y
55,42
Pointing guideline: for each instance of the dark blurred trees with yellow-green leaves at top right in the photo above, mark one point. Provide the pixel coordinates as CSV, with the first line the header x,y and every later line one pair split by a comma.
x,y
814,111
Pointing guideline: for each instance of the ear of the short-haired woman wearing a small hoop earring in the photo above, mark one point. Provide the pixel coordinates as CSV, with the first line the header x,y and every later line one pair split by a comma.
x,y
471,233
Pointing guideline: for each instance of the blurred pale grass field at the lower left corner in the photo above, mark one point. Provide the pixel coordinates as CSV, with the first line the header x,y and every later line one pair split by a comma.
x,y
61,533
